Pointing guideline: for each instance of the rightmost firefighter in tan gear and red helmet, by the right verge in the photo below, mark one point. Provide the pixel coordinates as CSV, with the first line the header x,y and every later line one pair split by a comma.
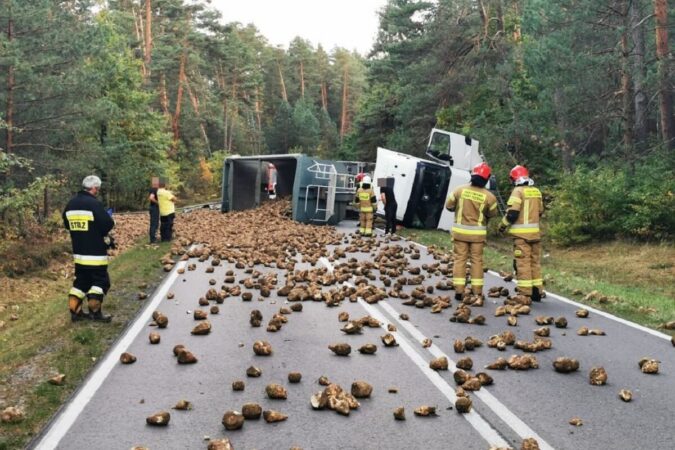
x,y
524,208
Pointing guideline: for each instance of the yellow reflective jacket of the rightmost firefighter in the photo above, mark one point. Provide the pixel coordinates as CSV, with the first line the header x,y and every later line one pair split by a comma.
x,y
527,201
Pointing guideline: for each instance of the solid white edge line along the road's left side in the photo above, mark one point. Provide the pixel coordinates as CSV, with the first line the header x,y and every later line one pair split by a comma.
x,y
65,420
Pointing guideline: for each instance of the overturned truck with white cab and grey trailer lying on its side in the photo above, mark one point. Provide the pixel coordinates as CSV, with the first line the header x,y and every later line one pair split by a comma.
x,y
321,191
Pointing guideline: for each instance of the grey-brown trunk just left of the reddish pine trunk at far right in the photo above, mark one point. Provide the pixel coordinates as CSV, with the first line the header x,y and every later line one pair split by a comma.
x,y
638,58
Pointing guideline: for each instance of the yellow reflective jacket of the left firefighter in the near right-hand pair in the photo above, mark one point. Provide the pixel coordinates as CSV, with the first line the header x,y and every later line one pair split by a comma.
x,y
472,206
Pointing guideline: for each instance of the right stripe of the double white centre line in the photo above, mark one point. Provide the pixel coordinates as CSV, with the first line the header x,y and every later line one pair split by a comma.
x,y
509,418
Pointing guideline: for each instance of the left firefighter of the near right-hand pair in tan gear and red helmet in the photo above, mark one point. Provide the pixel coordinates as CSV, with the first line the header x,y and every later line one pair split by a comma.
x,y
472,205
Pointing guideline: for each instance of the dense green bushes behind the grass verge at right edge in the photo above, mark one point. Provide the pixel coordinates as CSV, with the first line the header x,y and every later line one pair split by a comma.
x,y
607,203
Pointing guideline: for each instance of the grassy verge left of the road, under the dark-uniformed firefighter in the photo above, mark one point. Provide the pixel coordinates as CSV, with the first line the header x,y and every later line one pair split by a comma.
x,y
43,342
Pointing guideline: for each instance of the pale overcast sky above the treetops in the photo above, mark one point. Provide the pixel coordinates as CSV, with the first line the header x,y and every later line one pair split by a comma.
x,y
351,24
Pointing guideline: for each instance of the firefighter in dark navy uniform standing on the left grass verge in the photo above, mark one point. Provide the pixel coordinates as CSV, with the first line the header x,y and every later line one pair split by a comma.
x,y
89,225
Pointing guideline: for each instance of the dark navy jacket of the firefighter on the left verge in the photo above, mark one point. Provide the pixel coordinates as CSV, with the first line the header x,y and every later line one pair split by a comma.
x,y
88,223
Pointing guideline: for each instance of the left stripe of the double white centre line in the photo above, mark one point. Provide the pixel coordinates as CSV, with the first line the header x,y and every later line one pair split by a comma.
x,y
476,420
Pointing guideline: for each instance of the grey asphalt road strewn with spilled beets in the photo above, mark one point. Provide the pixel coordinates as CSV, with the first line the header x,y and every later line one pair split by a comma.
x,y
109,411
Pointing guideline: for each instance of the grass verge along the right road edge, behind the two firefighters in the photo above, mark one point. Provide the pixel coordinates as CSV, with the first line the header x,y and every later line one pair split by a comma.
x,y
633,281
